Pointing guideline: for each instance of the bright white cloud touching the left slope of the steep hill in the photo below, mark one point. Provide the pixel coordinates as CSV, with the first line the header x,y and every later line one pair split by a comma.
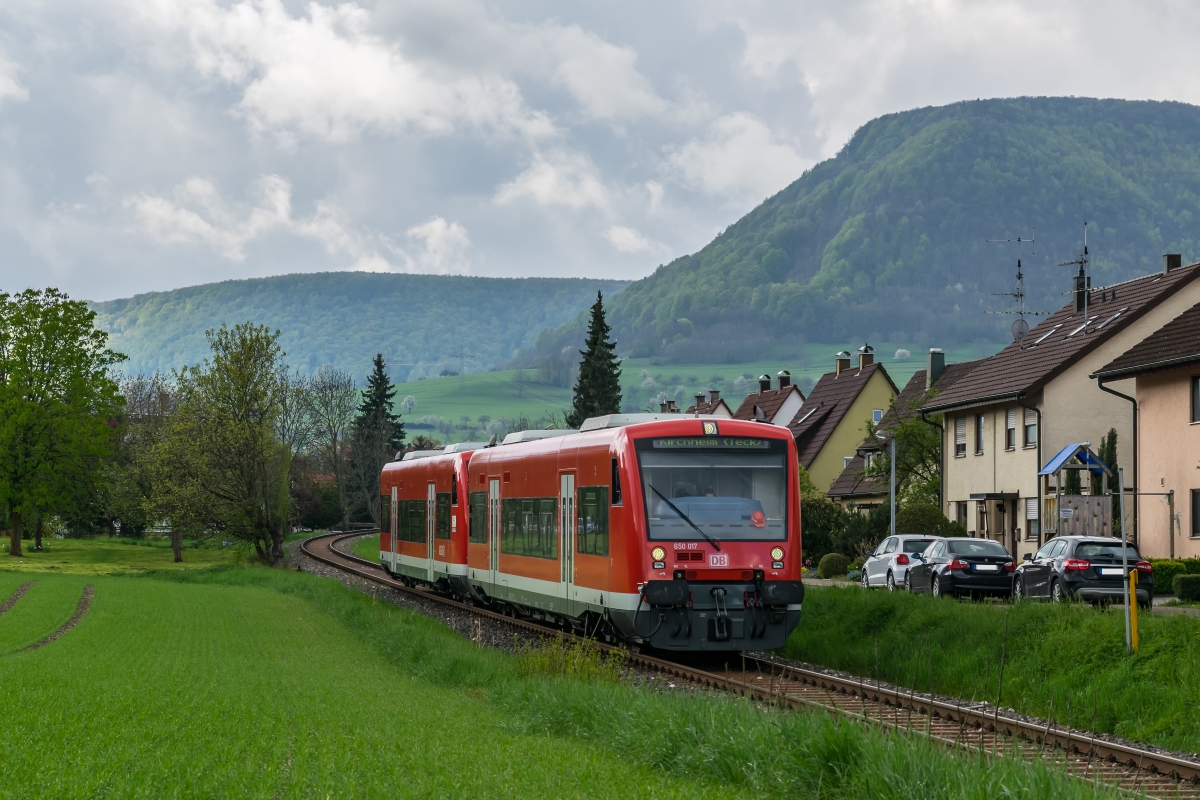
x,y
739,158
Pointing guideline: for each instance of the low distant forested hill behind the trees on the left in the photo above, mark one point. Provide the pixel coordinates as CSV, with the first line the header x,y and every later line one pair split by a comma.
x,y
422,323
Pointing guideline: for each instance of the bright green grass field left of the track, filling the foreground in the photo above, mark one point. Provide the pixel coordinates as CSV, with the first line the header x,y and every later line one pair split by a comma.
x,y
251,683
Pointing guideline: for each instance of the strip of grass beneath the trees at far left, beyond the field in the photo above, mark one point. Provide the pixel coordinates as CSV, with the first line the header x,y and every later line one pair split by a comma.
x,y
113,556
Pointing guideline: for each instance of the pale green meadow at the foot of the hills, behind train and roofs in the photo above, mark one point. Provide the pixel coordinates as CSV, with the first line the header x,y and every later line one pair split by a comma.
x,y
489,401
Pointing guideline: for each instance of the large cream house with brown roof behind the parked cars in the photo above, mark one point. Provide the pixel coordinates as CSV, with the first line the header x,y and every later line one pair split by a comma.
x,y
1016,410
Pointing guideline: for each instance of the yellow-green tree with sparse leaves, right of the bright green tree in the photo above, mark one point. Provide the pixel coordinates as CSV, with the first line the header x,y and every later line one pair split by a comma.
x,y
221,465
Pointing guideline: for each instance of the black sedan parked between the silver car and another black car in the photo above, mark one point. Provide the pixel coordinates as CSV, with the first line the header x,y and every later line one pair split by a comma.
x,y
962,566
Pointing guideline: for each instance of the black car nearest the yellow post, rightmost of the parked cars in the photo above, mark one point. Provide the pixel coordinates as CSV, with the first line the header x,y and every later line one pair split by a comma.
x,y
1088,568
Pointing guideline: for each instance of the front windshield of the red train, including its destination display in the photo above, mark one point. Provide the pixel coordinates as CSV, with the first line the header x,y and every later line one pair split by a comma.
x,y
733,489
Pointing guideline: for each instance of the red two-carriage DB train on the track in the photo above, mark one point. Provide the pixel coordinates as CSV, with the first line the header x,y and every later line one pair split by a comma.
x,y
681,533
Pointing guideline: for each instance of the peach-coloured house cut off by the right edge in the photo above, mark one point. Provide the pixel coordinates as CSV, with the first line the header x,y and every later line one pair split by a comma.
x,y
1166,370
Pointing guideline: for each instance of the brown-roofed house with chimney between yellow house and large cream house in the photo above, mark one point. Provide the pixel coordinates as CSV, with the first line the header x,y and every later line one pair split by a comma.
x,y
855,491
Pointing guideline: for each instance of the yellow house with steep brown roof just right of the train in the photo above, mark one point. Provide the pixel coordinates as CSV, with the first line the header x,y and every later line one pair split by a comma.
x,y
832,423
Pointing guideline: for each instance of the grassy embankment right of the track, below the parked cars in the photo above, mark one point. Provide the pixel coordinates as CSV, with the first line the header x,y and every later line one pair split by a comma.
x,y
1066,663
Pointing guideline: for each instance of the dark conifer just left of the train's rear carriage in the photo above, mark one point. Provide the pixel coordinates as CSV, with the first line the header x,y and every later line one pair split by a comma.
x,y
379,435
